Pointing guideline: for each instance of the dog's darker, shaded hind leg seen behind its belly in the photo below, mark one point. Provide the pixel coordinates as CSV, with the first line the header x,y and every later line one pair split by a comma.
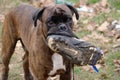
x,y
27,74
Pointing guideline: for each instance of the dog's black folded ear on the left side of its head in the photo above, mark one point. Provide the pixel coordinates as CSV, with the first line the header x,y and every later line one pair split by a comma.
x,y
38,15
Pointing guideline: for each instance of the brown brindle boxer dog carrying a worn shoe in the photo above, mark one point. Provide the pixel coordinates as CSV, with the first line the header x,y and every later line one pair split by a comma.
x,y
31,26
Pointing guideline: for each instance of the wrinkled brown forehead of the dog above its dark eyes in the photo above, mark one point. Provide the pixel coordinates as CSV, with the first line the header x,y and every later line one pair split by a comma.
x,y
57,10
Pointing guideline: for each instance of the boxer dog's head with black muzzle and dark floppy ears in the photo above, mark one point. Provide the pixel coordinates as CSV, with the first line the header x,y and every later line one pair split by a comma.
x,y
57,19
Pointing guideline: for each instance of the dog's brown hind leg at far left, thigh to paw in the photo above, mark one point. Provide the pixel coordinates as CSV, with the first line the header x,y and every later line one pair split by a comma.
x,y
8,45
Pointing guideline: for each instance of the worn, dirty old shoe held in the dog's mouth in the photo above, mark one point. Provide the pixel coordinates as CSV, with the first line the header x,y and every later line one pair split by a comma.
x,y
77,51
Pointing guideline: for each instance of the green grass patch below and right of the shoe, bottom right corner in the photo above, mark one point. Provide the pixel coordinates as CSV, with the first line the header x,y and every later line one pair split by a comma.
x,y
106,73
